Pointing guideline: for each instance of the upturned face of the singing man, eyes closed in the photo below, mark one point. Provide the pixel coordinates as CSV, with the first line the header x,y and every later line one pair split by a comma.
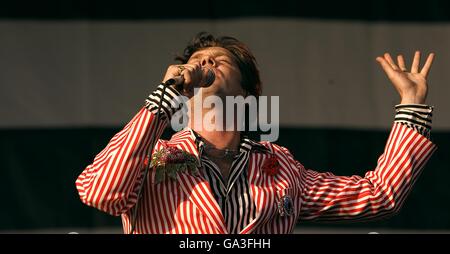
x,y
228,76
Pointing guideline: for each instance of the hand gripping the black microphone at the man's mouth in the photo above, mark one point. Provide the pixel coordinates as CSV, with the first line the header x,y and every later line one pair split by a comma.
x,y
188,76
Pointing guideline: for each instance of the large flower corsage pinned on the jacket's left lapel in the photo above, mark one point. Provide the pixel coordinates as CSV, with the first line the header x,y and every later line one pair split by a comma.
x,y
170,161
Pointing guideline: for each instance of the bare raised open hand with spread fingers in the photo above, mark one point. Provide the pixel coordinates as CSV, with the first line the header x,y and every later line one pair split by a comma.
x,y
411,85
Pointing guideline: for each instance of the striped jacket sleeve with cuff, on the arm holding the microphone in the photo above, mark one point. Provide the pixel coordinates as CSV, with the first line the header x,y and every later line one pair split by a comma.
x,y
110,183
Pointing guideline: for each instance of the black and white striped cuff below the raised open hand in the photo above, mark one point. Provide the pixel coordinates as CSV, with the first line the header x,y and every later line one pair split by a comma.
x,y
415,116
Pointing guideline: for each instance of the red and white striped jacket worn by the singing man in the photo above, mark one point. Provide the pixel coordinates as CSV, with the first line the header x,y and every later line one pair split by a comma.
x,y
110,184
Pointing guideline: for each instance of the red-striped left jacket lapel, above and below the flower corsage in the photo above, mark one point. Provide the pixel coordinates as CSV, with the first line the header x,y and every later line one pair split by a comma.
x,y
195,186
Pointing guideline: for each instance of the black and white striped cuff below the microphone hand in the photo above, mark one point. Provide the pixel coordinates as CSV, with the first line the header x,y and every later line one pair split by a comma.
x,y
171,102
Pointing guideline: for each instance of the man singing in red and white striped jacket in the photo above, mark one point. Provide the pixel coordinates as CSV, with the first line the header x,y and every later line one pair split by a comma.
x,y
217,180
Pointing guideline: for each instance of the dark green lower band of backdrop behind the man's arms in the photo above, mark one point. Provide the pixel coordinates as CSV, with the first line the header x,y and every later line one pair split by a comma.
x,y
39,168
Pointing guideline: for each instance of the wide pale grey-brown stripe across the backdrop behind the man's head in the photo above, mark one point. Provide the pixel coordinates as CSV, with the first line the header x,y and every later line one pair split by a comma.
x,y
85,73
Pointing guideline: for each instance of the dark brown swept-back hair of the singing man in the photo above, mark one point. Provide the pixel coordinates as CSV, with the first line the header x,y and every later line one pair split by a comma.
x,y
251,82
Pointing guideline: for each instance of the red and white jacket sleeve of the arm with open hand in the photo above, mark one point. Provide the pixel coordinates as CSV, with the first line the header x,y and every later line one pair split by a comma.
x,y
379,193
